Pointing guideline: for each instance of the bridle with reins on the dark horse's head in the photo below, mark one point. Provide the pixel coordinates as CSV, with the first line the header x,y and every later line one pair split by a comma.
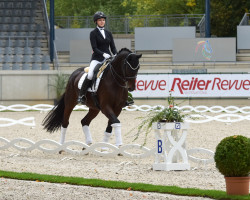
x,y
124,78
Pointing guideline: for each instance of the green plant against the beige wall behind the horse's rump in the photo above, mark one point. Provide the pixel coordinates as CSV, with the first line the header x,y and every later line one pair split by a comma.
x,y
59,84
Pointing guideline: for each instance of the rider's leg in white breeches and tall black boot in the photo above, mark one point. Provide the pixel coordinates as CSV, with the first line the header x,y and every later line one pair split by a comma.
x,y
87,82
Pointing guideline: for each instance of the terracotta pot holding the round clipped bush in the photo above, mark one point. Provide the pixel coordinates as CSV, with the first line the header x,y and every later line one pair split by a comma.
x,y
237,185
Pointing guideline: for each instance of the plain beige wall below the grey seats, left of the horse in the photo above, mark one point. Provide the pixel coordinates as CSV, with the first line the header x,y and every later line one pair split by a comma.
x,y
31,87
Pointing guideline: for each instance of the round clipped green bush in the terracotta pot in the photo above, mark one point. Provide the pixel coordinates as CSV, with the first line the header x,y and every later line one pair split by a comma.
x,y
232,156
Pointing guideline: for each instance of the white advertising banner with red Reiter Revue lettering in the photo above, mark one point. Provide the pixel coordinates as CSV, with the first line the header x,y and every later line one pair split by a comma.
x,y
192,85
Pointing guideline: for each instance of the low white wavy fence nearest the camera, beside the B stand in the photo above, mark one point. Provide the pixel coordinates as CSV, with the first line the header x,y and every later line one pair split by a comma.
x,y
96,149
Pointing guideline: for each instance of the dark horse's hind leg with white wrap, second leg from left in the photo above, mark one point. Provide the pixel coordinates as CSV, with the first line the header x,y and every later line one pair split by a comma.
x,y
85,125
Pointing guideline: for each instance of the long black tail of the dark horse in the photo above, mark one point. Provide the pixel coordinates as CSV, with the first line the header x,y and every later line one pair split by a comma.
x,y
53,121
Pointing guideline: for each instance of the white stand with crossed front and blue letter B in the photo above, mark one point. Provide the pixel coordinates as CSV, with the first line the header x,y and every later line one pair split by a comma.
x,y
171,151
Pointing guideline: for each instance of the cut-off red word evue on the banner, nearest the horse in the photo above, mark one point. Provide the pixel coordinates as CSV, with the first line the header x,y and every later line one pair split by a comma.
x,y
152,85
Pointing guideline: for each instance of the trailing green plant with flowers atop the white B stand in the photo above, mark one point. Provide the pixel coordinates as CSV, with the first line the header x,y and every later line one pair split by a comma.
x,y
167,114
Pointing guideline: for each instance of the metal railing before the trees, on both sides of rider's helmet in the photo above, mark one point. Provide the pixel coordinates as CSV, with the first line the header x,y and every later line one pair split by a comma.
x,y
126,24
